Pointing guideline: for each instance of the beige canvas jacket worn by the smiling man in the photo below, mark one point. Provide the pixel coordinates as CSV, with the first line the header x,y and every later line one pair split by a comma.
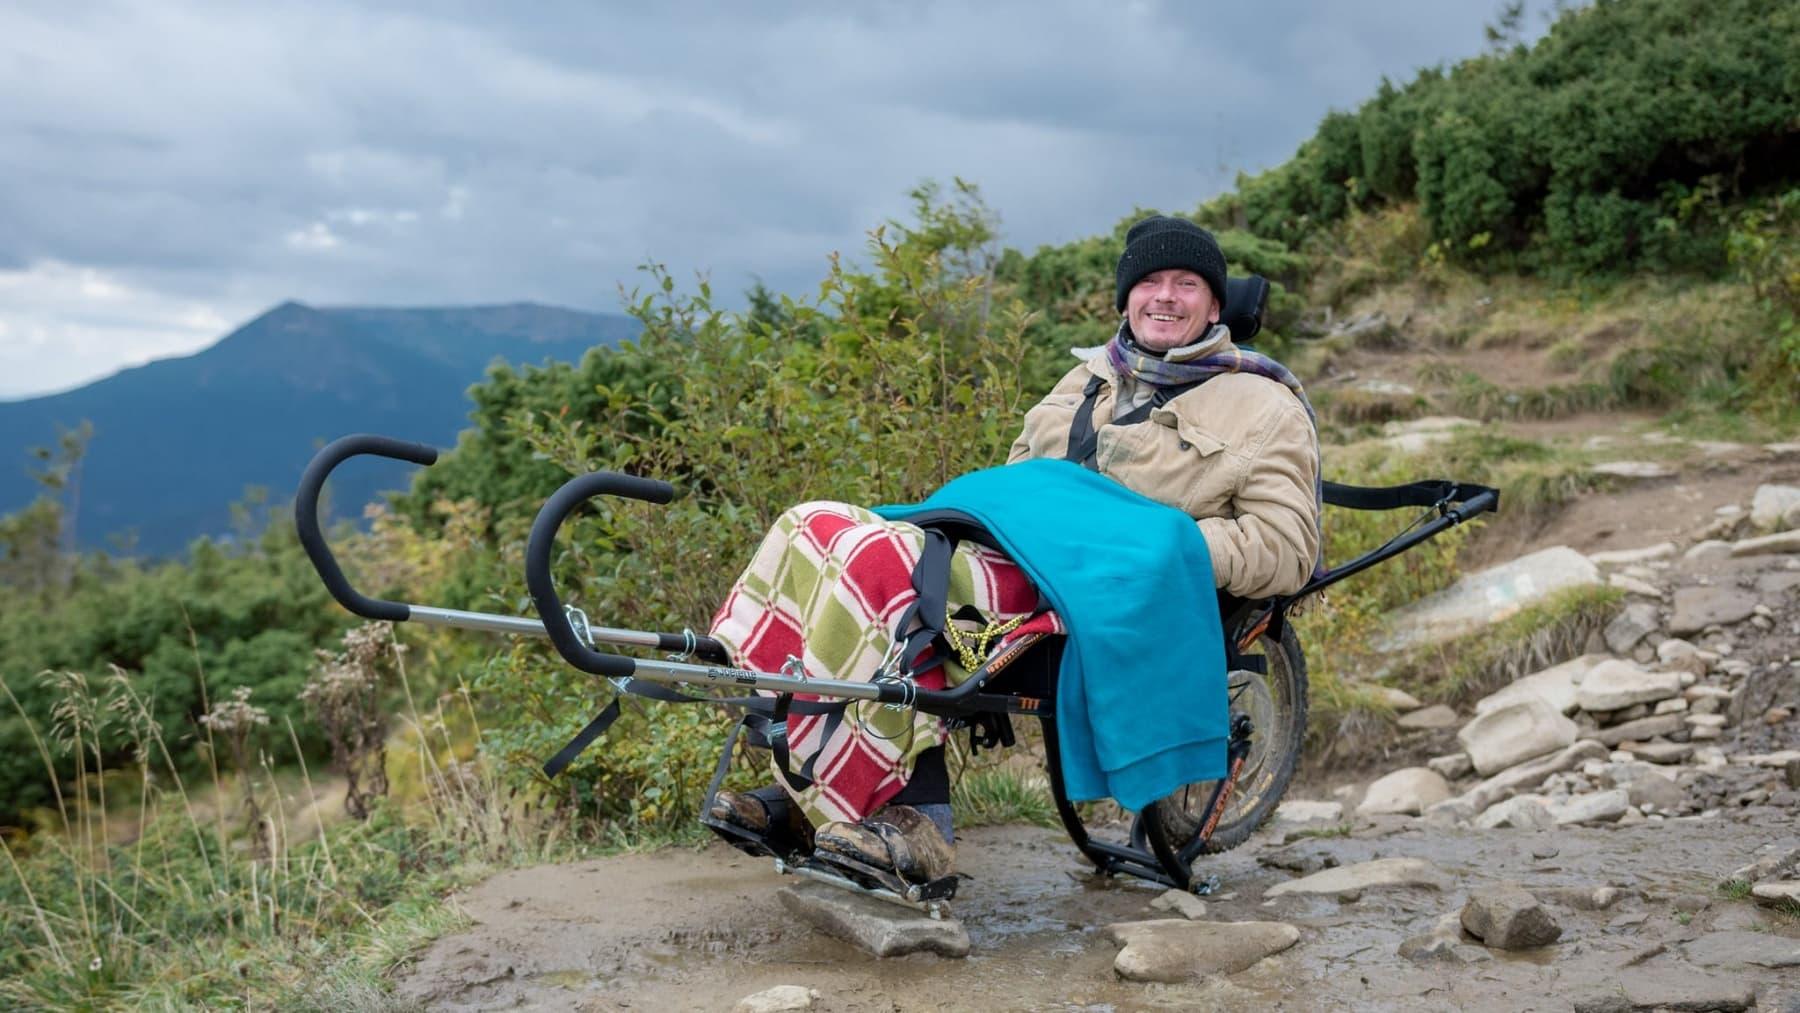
x,y
1237,454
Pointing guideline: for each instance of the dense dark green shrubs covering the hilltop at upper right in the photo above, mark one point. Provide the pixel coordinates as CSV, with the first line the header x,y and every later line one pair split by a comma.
x,y
1572,150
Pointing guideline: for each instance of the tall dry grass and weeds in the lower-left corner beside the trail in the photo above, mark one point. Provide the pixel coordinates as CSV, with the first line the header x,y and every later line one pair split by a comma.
x,y
145,893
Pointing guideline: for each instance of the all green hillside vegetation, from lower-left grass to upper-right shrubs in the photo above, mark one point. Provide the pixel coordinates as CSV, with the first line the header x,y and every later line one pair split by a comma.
x,y
1612,211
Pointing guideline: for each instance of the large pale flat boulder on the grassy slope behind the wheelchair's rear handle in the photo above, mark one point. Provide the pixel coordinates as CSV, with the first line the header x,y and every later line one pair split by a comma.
x,y
1489,596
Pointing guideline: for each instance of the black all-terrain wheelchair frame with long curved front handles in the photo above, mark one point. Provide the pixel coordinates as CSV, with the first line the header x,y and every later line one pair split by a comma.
x,y
1266,683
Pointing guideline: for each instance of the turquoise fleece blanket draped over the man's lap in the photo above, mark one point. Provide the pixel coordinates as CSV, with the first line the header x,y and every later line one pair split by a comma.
x,y
1142,701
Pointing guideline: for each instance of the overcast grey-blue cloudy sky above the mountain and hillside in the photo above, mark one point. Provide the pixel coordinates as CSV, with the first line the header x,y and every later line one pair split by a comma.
x,y
168,168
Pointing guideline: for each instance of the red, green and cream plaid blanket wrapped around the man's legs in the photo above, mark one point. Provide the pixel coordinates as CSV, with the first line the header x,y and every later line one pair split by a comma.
x,y
827,587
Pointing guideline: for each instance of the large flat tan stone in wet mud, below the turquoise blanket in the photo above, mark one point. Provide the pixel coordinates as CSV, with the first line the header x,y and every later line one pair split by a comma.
x,y
1174,951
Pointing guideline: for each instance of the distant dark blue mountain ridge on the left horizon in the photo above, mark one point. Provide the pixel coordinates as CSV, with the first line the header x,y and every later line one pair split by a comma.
x,y
179,440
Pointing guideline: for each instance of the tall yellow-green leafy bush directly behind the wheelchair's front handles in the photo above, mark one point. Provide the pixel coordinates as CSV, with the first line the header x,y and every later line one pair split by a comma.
x,y
895,381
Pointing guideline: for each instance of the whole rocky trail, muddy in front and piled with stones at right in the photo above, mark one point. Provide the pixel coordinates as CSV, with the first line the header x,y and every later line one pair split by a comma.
x,y
1615,832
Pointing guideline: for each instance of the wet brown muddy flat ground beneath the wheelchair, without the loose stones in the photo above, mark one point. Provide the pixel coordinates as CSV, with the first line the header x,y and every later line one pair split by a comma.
x,y
703,929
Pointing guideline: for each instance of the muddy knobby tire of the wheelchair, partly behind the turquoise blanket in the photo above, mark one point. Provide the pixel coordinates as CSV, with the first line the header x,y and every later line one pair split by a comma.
x,y
1277,706
